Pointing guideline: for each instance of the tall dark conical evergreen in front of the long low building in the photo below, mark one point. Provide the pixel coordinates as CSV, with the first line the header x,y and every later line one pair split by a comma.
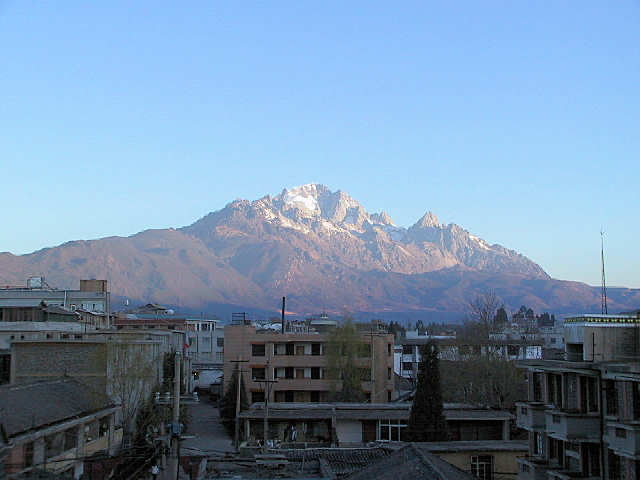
x,y
426,420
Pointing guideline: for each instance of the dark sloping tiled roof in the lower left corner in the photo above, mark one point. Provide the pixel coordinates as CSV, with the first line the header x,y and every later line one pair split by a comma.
x,y
28,406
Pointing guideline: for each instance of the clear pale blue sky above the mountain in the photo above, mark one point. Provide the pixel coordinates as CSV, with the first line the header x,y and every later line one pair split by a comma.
x,y
517,120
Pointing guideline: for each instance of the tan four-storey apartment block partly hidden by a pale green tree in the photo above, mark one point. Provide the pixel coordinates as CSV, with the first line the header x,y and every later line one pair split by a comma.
x,y
297,361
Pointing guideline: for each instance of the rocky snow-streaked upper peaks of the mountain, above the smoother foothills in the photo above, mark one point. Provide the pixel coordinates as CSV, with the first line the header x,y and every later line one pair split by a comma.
x,y
337,226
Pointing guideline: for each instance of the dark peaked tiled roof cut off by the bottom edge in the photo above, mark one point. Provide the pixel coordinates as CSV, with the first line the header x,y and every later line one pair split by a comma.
x,y
410,463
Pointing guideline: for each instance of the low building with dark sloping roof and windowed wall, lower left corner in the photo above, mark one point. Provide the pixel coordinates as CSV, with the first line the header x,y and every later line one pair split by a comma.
x,y
47,432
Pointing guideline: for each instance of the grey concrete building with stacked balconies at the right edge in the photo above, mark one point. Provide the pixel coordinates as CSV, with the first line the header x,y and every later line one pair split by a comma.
x,y
583,412
